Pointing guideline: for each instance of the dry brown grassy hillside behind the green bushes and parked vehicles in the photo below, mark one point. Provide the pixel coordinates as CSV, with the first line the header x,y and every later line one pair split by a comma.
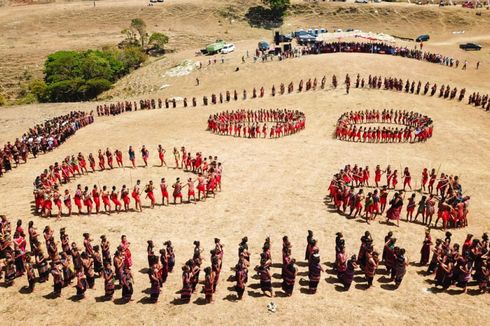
x,y
30,35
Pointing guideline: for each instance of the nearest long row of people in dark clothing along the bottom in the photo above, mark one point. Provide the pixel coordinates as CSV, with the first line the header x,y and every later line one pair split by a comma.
x,y
96,261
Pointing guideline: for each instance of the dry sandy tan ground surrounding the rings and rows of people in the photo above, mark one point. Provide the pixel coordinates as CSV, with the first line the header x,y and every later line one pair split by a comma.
x,y
270,187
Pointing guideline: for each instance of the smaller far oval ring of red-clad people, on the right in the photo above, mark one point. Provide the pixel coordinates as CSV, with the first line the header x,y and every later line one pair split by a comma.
x,y
418,127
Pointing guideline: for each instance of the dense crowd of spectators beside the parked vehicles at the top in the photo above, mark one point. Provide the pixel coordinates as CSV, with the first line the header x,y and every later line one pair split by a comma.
x,y
381,48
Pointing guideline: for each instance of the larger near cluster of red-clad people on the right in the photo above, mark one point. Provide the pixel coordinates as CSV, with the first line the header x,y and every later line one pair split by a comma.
x,y
447,195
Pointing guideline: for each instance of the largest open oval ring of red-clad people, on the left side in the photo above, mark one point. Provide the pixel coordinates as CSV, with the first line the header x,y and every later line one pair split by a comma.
x,y
49,197
